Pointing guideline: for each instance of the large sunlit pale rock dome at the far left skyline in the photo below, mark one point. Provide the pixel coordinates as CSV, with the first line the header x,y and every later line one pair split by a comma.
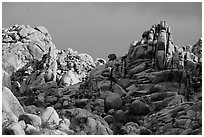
x,y
21,44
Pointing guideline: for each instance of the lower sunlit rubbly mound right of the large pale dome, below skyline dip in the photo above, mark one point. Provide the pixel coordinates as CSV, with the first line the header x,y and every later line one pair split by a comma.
x,y
77,65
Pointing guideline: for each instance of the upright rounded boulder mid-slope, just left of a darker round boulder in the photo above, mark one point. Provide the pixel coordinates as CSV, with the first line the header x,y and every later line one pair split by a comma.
x,y
114,101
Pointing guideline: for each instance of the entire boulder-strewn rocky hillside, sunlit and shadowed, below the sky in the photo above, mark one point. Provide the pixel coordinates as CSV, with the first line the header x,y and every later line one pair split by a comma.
x,y
155,89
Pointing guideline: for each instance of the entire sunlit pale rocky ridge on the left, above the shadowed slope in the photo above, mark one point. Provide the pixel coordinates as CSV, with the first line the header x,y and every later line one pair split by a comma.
x,y
29,49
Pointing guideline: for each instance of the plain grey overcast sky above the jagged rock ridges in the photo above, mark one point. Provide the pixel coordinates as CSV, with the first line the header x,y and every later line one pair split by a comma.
x,y
103,28
